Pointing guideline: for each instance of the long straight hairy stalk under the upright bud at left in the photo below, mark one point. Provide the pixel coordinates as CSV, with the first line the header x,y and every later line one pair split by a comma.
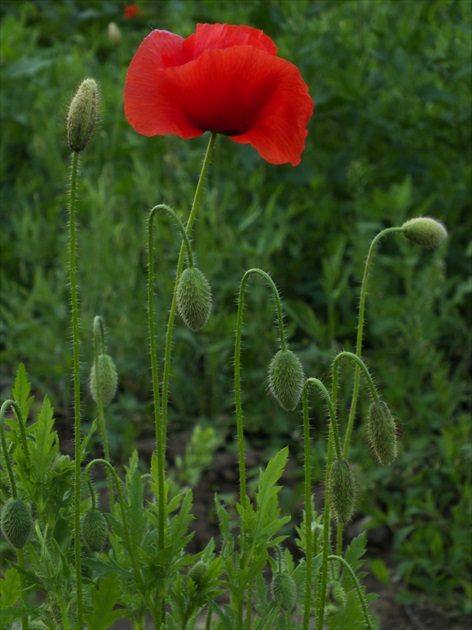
x,y
76,368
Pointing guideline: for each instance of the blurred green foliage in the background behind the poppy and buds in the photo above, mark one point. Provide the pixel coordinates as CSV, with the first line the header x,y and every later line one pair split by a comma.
x,y
390,139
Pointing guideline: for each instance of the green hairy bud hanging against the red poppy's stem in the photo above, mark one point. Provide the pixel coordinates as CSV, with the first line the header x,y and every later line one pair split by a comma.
x,y
194,298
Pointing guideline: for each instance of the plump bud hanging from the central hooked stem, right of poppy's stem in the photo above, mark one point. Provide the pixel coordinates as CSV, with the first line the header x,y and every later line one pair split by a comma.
x,y
286,379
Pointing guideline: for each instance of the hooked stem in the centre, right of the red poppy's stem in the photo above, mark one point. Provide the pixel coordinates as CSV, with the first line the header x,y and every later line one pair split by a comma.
x,y
237,367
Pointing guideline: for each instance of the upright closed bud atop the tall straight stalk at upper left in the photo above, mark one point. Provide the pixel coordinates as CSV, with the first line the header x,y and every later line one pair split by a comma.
x,y
83,115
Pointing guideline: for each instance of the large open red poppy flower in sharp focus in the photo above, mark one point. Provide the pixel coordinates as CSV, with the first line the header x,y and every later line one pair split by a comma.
x,y
225,79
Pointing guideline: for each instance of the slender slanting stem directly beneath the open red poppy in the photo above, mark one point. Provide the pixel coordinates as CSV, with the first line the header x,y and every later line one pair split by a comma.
x,y
180,264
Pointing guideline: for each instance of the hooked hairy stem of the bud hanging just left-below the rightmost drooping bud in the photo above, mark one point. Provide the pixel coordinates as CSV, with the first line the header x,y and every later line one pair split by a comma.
x,y
308,503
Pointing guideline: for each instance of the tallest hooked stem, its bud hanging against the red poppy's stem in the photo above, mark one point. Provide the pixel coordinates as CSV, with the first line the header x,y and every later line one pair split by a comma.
x,y
159,426
